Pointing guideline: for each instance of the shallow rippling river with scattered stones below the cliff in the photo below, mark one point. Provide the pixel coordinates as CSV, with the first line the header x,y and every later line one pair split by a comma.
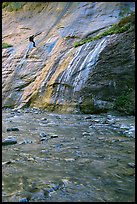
x,y
68,158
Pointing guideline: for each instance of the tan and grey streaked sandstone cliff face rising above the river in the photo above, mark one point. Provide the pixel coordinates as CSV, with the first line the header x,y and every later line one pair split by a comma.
x,y
56,75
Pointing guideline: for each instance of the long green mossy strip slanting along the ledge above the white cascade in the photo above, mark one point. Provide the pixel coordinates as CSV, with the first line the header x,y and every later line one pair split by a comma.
x,y
123,25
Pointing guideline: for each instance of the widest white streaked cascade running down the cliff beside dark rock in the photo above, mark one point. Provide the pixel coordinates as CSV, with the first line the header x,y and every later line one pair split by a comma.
x,y
78,70
